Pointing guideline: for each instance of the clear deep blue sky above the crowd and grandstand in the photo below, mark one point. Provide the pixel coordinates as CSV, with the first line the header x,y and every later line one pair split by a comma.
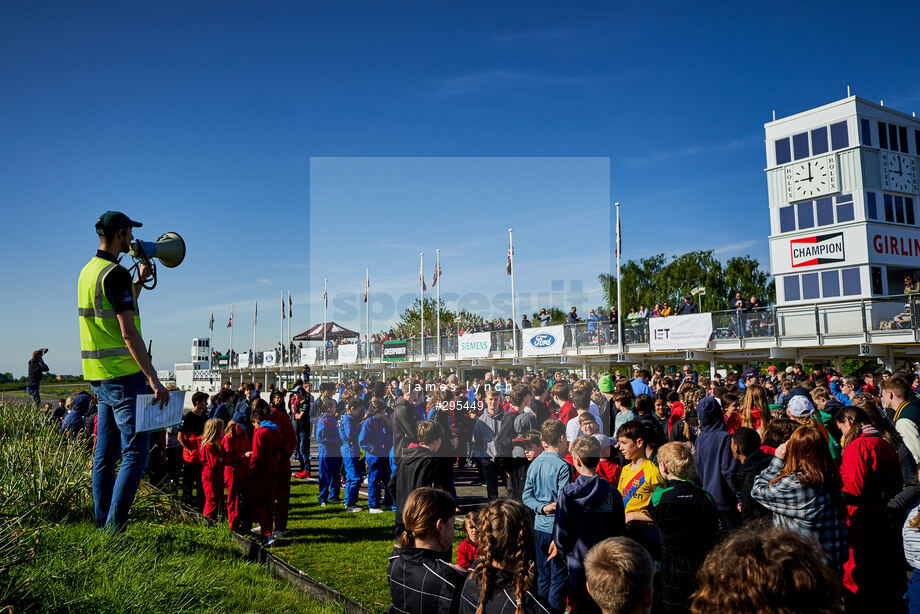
x,y
204,119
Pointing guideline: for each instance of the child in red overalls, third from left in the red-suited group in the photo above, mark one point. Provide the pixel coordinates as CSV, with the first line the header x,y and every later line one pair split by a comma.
x,y
263,468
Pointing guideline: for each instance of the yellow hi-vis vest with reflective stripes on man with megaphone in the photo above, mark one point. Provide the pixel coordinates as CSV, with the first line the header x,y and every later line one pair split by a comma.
x,y
102,346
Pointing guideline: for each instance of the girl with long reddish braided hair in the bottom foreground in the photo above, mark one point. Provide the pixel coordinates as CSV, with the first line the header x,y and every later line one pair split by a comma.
x,y
501,579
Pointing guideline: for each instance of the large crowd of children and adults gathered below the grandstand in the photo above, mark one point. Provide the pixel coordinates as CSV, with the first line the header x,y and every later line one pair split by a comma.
x,y
604,480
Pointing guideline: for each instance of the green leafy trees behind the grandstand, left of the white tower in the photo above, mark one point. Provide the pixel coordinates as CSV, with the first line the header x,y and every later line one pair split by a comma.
x,y
655,280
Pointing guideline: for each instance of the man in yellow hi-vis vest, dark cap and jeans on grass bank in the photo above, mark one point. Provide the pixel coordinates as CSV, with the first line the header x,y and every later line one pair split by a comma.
x,y
118,366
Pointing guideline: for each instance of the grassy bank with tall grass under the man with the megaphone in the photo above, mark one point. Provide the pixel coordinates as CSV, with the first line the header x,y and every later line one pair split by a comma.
x,y
53,560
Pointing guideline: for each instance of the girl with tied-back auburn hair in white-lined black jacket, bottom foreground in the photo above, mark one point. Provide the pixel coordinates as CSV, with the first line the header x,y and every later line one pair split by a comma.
x,y
422,581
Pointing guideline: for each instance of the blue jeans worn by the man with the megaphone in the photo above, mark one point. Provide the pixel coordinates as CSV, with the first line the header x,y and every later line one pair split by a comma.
x,y
115,438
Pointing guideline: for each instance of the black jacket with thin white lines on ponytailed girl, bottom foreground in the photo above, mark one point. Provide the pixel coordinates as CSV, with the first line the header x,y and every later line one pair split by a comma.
x,y
422,583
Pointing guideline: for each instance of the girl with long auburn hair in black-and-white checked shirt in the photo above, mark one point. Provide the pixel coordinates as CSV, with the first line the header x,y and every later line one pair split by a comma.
x,y
802,488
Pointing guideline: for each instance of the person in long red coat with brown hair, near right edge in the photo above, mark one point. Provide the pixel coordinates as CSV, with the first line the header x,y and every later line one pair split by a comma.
x,y
873,574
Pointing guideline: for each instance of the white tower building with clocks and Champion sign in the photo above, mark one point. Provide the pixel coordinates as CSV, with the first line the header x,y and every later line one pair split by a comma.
x,y
842,182
